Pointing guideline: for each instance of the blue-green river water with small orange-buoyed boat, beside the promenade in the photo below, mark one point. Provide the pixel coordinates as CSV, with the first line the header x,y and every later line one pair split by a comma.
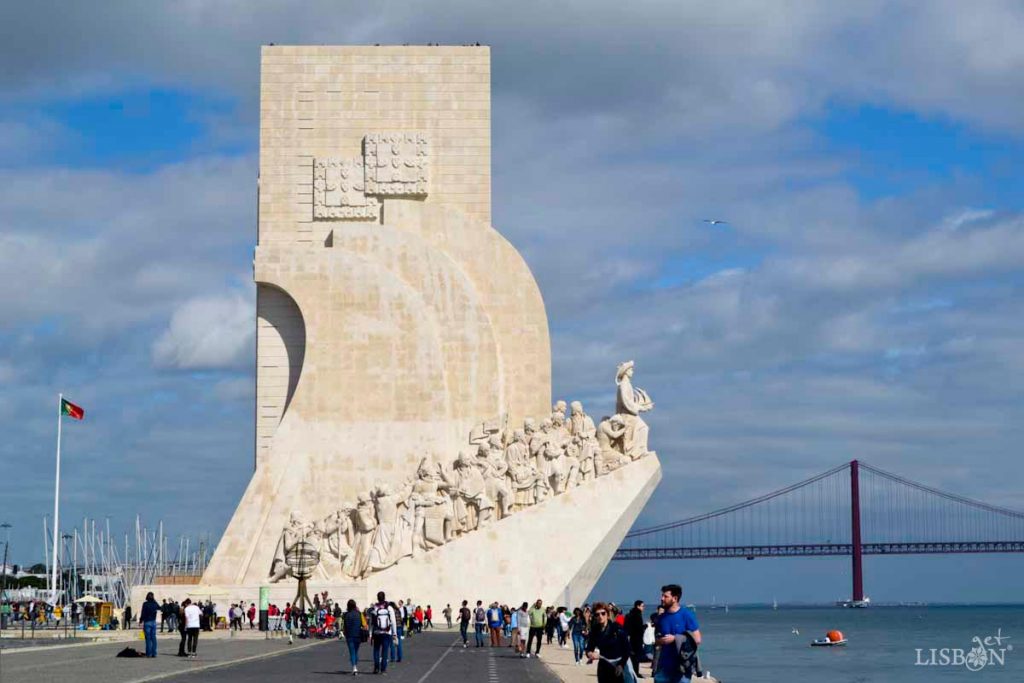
x,y
759,645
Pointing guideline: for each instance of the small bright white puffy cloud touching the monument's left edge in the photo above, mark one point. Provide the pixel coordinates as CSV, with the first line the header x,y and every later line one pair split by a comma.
x,y
208,333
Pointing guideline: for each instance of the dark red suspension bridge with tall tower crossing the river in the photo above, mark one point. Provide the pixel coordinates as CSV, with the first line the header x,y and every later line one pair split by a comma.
x,y
854,509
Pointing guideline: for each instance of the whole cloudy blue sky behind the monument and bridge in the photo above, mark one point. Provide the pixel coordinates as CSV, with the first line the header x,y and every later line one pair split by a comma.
x,y
863,302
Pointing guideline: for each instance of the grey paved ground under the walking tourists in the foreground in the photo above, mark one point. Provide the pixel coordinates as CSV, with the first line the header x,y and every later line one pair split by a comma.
x,y
429,658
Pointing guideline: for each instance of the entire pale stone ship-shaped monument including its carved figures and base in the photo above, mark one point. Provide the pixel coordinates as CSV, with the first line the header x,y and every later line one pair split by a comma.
x,y
406,439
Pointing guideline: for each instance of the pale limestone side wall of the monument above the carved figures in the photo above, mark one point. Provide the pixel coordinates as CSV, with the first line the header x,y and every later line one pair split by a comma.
x,y
392,316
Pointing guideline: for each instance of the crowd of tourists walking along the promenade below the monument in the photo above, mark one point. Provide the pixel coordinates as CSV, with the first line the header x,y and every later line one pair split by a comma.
x,y
618,641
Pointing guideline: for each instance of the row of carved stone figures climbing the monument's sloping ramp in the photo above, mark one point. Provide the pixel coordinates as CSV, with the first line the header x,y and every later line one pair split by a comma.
x,y
500,474
